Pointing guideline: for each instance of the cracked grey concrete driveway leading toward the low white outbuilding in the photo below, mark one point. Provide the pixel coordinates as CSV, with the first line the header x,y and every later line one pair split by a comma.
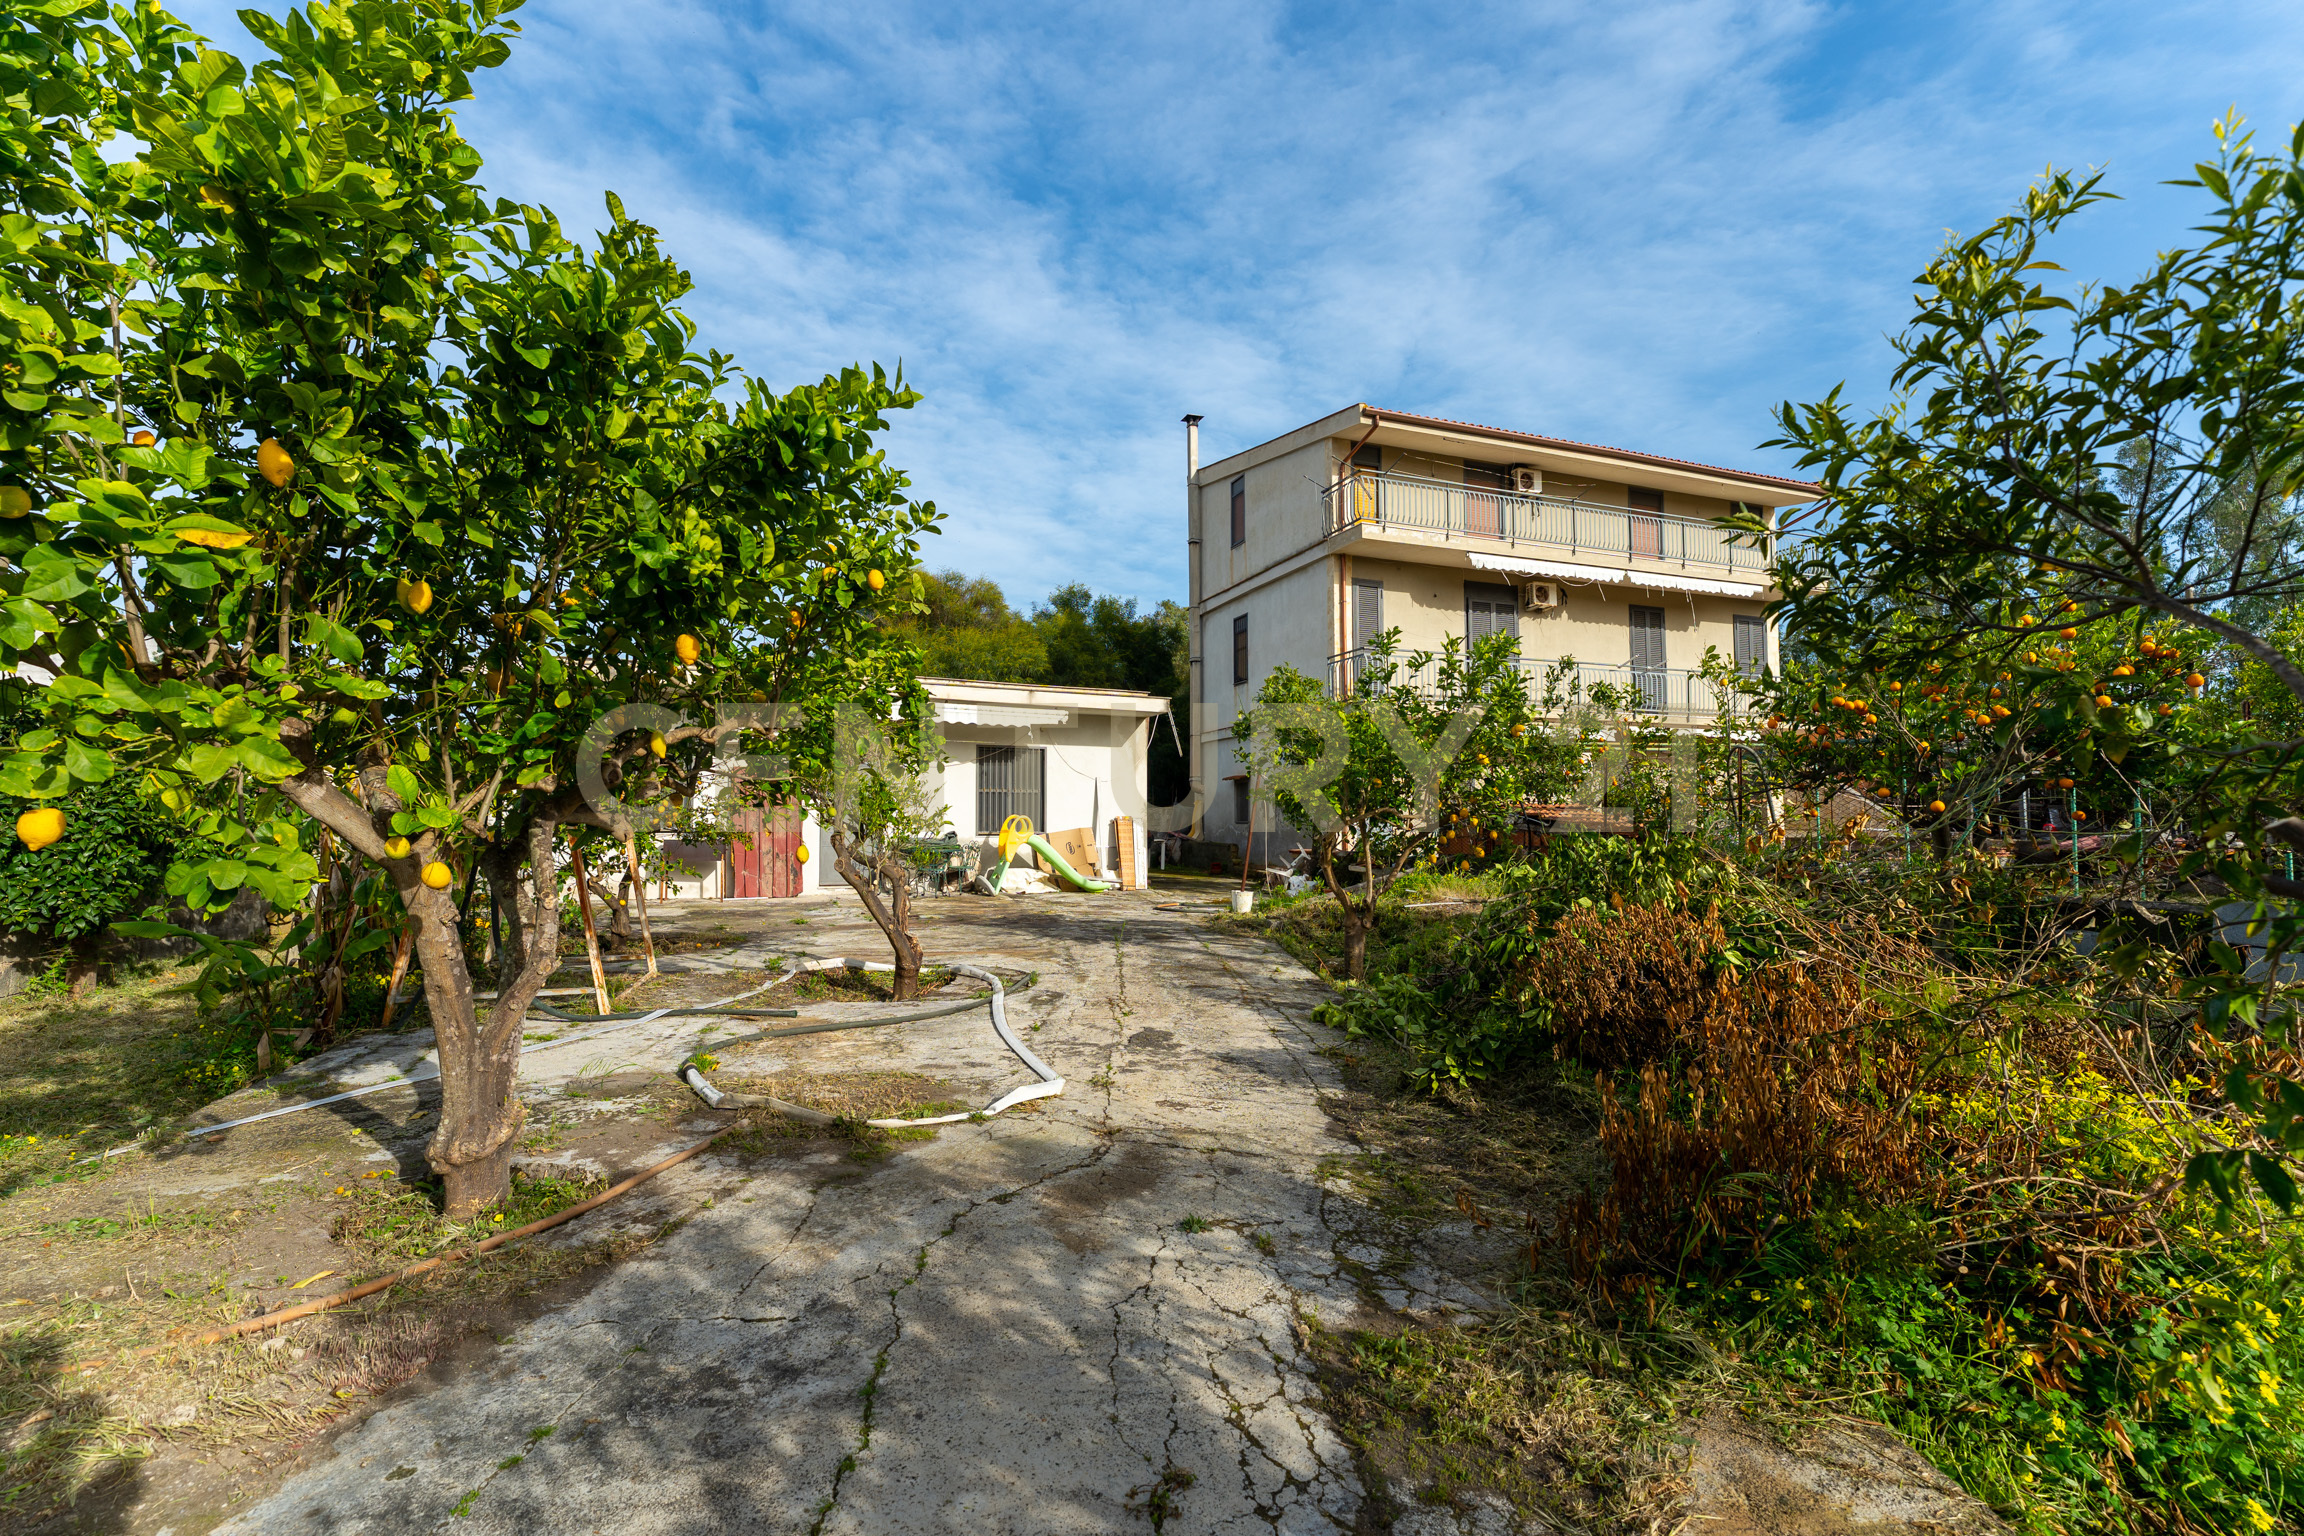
x,y
1073,1318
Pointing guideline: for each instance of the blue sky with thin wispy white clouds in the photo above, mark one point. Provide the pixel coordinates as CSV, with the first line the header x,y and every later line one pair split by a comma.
x,y
1632,225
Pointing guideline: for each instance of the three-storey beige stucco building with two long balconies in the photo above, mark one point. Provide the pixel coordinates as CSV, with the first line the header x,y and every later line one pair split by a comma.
x,y
1310,547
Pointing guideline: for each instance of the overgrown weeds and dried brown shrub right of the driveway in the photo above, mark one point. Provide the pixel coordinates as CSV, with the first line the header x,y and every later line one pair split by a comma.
x,y
1884,1143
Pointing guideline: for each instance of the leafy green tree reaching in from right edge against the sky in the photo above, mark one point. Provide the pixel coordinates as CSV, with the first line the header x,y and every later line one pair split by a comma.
x,y
2112,459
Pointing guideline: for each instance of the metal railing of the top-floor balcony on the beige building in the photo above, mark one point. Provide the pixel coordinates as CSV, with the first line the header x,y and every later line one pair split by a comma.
x,y
1577,529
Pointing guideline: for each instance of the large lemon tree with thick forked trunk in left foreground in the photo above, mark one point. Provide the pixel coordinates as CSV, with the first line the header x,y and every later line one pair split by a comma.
x,y
340,496
